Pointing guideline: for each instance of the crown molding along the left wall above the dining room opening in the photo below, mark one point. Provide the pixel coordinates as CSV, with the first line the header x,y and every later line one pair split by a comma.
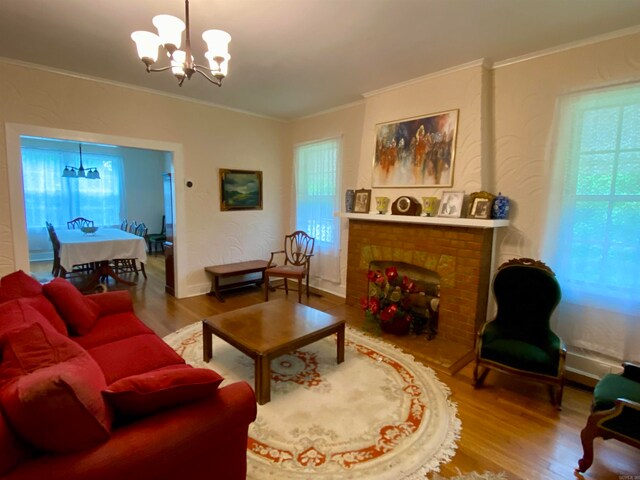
x,y
80,76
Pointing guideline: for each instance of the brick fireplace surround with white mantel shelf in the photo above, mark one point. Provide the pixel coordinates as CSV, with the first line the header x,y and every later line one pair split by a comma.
x,y
459,253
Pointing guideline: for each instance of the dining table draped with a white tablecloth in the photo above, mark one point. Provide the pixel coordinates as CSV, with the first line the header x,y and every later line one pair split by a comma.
x,y
100,248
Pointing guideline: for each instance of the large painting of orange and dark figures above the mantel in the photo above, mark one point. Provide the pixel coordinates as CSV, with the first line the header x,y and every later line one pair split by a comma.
x,y
416,152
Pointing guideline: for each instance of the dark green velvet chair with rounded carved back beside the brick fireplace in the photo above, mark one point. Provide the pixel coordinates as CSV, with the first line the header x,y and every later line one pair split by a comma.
x,y
519,340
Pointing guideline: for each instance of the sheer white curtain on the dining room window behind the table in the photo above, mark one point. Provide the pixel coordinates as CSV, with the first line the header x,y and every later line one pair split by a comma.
x,y
50,197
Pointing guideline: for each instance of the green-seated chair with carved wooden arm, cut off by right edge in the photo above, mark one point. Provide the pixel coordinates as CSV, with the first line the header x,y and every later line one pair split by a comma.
x,y
615,412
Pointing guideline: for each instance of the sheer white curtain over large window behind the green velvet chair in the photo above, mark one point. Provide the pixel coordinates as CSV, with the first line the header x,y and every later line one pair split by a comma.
x,y
593,223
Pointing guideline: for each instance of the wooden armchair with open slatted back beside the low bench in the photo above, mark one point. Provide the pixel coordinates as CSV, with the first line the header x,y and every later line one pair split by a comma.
x,y
297,252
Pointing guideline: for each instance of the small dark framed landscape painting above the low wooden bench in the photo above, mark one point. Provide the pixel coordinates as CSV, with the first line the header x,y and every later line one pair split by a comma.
x,y
240,189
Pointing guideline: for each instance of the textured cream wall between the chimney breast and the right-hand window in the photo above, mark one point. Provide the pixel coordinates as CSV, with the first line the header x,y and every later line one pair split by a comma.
x,y
525,100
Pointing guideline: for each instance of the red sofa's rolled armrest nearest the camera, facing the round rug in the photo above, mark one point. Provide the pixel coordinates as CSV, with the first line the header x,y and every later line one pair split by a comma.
x,y
190,441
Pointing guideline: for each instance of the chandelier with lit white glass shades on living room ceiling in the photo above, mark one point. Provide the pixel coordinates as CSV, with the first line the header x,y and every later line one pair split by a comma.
x,y
182,63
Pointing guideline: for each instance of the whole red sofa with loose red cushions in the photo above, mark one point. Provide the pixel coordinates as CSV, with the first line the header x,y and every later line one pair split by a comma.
x,y
87,391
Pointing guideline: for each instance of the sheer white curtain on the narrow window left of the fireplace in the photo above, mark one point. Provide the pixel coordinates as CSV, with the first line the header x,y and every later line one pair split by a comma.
x,y
316,173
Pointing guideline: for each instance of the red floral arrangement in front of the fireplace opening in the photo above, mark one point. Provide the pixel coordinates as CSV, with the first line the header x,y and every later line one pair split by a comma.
x,y
389,302
